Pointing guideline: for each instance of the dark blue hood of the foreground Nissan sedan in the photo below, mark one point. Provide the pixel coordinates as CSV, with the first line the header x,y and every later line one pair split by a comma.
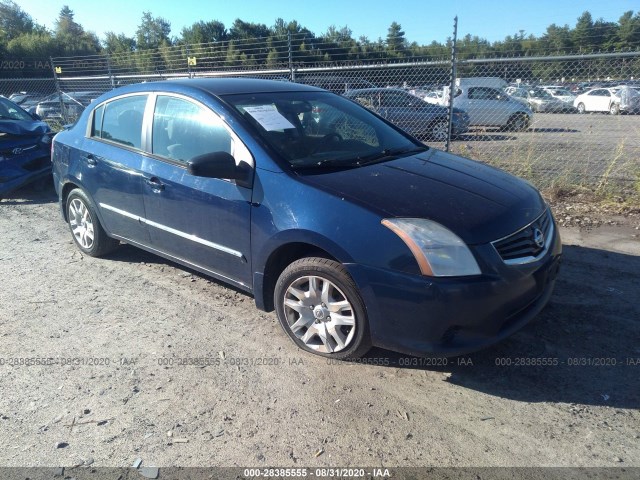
x,y
477,202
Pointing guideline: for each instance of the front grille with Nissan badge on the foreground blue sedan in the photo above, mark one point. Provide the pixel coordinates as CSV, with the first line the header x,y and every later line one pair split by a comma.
x,y
528,243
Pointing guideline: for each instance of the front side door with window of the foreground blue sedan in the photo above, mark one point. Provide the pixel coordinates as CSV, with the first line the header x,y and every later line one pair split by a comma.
x,y
201,221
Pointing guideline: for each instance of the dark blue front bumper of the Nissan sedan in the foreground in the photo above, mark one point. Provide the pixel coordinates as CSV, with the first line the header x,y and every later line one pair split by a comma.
x,y
425,316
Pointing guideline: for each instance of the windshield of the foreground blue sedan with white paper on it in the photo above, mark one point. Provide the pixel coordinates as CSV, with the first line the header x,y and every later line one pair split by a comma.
x,y
320,129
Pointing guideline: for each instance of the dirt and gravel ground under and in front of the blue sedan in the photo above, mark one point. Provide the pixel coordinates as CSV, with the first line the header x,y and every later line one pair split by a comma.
x,y
119,330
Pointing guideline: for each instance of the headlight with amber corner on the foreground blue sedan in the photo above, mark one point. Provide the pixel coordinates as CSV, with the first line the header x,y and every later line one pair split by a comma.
x,y
438,251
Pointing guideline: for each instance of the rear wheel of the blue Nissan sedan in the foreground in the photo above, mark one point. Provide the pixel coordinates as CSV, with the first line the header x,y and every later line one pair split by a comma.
x,y
87,232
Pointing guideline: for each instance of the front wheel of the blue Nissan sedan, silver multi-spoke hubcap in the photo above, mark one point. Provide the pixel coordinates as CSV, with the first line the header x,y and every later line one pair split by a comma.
x,y
319,307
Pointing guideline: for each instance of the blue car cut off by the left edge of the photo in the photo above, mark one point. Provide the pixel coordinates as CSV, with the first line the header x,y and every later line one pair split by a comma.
x,y
25,144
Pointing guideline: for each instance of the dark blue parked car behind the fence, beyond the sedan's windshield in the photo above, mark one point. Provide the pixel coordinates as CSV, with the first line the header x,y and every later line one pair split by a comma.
x,y
411,113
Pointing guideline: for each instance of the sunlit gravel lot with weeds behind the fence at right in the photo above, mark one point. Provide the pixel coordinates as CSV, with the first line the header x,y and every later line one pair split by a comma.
x,y
569,148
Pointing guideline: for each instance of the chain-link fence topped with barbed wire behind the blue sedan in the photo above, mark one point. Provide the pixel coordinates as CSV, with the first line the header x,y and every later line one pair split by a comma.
x,y
560,121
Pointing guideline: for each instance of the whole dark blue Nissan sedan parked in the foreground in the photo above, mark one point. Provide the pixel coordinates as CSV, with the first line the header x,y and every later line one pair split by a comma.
x,y
352,230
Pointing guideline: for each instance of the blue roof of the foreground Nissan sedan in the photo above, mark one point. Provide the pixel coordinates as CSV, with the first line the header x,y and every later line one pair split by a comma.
x,y
217,86
